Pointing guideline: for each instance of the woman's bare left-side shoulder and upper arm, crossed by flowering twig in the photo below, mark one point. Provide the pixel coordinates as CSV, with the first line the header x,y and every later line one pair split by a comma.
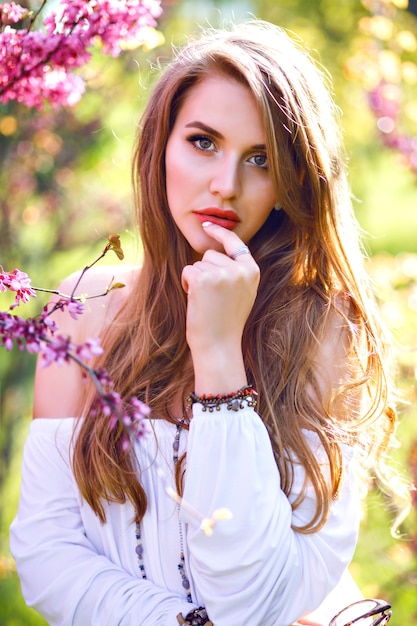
x,y
60,388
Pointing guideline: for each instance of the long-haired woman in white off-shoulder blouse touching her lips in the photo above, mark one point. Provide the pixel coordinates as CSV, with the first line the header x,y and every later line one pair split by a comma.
x,y
252,289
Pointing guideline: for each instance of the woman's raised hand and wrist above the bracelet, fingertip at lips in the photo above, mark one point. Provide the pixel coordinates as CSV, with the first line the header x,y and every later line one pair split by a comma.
x,y
221,292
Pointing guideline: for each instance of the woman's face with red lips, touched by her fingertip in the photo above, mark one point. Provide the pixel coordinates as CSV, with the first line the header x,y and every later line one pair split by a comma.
x,y
216,163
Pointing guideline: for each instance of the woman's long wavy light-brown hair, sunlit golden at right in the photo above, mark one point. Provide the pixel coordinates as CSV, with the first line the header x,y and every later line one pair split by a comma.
x,y
311,273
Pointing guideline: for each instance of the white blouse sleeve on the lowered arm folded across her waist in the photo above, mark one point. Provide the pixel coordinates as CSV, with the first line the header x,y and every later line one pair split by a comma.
x,y
62,575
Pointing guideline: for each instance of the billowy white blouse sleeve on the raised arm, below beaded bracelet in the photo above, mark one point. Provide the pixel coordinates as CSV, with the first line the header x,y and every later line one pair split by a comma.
x,y
254,568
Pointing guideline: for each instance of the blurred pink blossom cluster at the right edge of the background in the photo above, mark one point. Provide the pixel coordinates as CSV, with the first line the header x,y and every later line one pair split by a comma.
x,y
384,101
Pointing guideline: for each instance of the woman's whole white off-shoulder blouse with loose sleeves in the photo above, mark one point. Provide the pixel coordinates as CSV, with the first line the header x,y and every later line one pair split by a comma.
x,y
253,571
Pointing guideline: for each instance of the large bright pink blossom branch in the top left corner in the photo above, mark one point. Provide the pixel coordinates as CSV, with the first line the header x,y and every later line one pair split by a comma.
x,y
38,66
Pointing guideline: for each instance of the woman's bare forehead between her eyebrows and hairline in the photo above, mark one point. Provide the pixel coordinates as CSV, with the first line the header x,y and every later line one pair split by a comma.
x,y
222,102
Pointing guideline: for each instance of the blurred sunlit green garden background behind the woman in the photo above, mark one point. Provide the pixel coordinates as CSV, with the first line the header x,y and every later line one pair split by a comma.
x,y
65,185
